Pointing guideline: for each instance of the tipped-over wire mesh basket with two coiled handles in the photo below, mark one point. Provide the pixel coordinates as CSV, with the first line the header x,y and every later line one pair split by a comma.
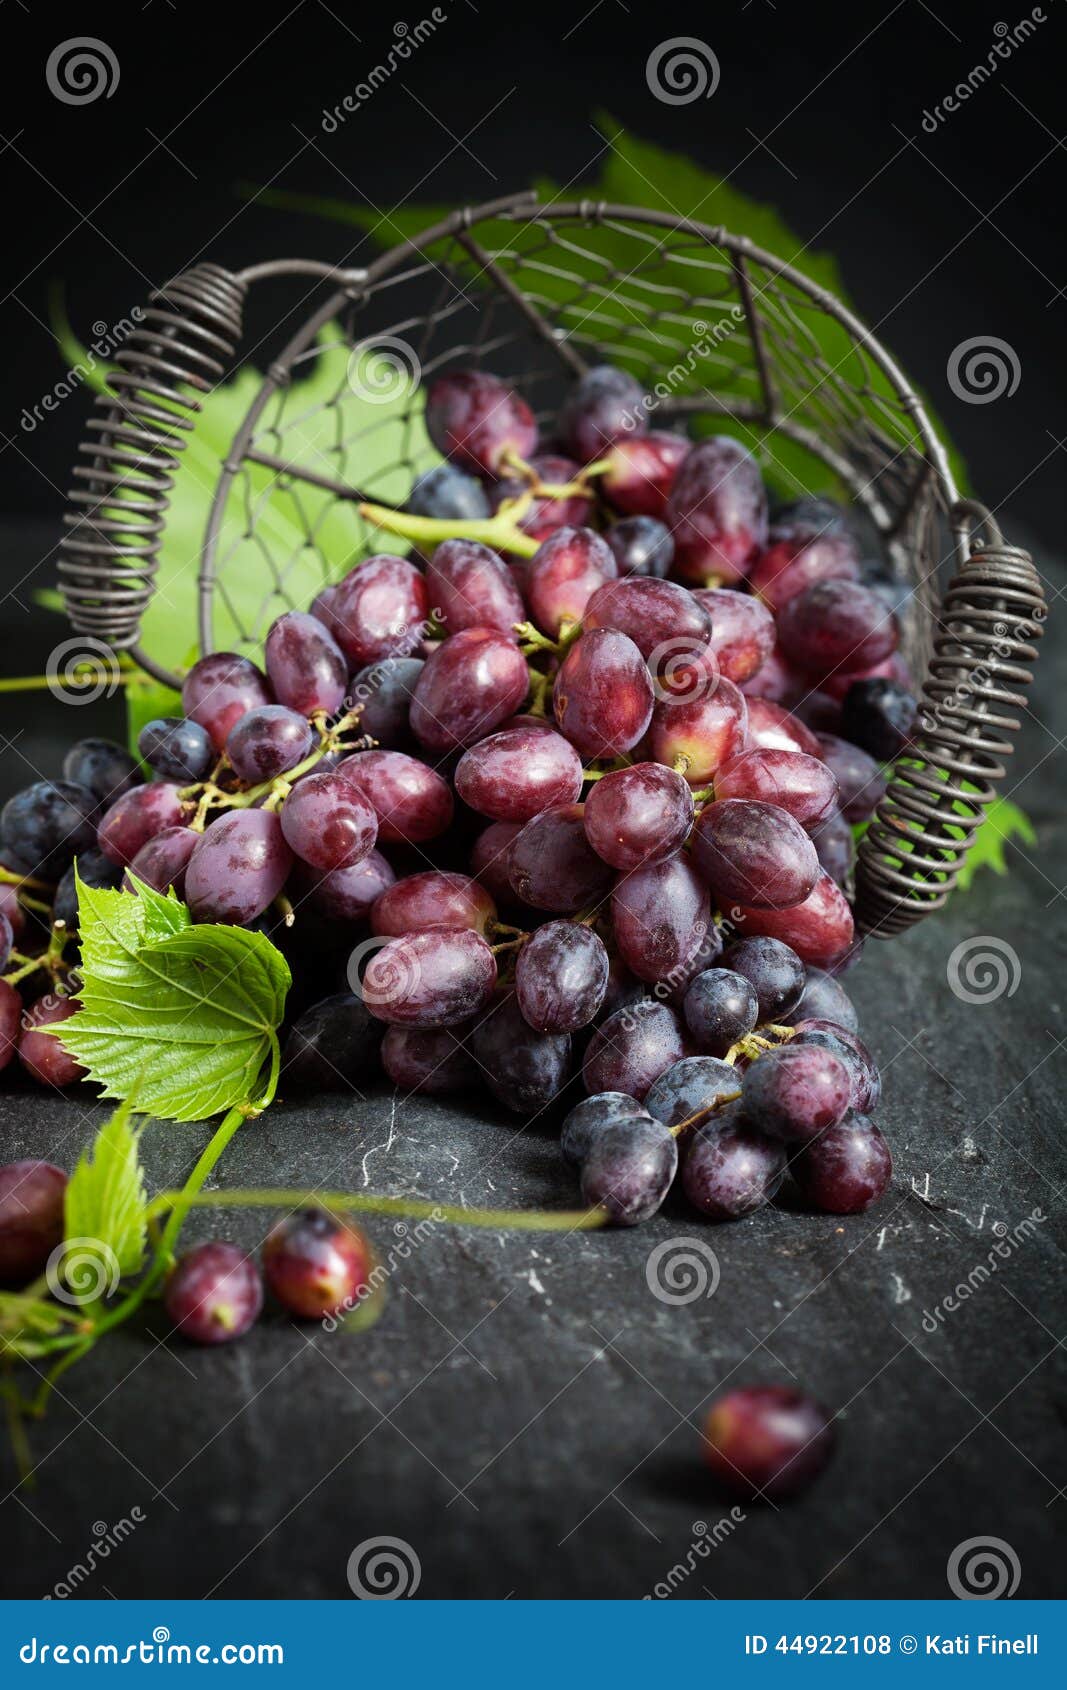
x,y
721,335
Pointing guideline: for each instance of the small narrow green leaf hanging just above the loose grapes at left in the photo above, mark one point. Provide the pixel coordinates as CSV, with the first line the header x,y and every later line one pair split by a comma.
x,y
106,1197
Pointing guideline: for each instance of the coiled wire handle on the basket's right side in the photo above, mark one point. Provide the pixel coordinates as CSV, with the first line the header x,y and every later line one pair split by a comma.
x,y
922,831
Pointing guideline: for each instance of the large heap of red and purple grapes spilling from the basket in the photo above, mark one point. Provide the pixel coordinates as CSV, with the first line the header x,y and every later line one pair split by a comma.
x,y
574,802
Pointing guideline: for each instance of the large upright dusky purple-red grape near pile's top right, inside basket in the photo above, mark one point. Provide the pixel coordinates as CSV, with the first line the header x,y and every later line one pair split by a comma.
x,y
718,511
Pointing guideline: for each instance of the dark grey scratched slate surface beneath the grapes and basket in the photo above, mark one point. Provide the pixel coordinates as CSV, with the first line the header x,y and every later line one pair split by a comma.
x,y
527,1414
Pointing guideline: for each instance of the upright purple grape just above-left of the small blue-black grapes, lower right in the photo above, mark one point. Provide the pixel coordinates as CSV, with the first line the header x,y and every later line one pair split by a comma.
x,y
660,915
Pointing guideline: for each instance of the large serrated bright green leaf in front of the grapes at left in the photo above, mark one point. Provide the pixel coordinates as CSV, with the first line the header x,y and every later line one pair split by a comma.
x,y
178,1017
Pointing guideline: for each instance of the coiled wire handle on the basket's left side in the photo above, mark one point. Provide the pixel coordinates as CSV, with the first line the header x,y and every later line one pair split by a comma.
x,y
109,559
